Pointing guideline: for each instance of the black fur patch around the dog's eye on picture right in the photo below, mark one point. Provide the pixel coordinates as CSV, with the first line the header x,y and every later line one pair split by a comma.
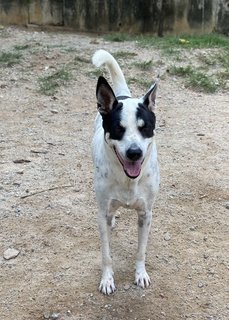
x,y
149,119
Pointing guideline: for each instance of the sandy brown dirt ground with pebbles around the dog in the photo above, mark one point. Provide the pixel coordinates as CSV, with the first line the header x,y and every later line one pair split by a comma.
x,y
47,202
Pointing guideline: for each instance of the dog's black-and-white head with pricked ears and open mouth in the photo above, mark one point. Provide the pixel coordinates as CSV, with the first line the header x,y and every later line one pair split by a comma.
x,y
128,125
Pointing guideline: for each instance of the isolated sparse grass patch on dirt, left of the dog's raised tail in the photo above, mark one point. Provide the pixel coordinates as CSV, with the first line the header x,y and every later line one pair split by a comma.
x,y
48,85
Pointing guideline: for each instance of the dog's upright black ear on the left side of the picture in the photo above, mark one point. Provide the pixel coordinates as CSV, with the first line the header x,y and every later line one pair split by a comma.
x,y
105,96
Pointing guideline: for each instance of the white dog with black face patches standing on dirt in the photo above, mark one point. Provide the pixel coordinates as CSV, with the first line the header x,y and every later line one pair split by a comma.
x,y
126,171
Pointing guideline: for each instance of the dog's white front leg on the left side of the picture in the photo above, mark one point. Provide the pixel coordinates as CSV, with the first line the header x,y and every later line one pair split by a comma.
x,y
107,285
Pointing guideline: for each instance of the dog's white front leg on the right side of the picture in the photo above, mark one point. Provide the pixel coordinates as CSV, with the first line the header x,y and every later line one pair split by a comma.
x,y
144,222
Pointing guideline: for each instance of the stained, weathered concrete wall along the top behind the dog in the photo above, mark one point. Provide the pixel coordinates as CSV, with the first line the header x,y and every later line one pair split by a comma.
x,y
136,16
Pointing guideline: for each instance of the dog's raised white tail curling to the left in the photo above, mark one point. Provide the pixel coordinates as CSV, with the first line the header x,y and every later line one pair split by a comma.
x,y
119,83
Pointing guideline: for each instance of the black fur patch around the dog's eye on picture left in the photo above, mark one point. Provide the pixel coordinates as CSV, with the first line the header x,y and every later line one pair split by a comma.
x,y
111,122
